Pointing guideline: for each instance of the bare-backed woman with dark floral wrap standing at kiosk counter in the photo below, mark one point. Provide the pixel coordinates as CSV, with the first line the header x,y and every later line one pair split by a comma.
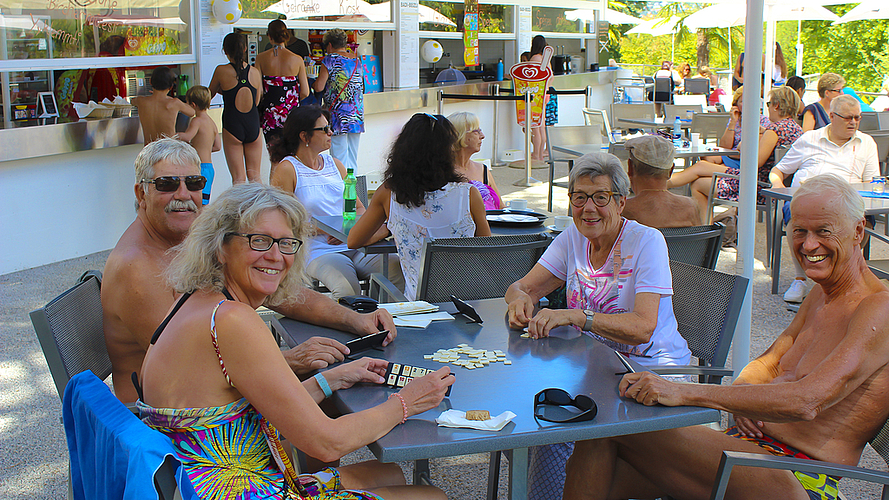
x,y
284,81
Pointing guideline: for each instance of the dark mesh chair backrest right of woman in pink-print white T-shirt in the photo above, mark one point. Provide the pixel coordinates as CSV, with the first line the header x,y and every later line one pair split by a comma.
x,y
706,304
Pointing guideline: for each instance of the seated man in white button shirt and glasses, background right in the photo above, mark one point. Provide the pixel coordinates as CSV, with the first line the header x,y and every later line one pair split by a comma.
x,y
839,149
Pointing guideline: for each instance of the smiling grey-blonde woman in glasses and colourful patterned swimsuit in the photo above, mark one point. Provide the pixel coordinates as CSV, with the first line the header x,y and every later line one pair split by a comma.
x,y
216,383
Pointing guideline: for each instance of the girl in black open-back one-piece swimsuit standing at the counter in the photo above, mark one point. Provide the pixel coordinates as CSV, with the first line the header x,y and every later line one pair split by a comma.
x,y
239,84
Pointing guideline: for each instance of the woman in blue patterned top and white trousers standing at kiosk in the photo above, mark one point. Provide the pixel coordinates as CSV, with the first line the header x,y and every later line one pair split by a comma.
x,y
341,77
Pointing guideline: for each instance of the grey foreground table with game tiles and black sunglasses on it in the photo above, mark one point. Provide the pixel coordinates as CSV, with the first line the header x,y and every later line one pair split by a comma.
x,y
567,360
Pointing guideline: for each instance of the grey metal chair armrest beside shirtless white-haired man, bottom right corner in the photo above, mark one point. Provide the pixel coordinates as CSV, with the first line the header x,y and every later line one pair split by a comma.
x,y
731,459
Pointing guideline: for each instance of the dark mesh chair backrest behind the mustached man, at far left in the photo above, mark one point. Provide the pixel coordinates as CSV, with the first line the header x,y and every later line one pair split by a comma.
x,y
70,331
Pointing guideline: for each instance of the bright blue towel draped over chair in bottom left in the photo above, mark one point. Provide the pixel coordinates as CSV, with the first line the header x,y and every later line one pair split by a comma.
x,y
114,455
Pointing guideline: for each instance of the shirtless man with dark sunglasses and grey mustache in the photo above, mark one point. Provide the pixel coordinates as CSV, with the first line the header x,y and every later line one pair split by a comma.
x,y
135,295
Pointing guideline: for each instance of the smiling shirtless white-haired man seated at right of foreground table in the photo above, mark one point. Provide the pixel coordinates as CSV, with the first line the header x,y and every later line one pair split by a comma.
x,y
818,392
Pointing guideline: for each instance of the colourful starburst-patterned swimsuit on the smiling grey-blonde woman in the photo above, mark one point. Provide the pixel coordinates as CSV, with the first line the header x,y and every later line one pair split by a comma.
x,y
232,452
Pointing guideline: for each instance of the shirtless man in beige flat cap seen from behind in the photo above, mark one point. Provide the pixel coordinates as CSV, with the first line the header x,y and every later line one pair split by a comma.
x,y
650,164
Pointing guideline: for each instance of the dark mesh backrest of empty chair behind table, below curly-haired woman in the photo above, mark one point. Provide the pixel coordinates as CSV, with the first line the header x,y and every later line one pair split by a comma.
x,y
476,268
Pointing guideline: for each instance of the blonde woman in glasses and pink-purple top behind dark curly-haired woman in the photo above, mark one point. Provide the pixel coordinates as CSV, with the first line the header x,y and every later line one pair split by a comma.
x,y
469,142
